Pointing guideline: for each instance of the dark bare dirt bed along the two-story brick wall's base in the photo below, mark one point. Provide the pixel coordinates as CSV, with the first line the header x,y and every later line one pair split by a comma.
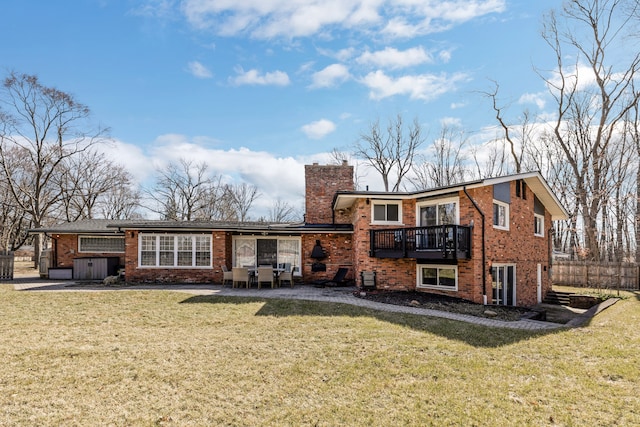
x,y
449,304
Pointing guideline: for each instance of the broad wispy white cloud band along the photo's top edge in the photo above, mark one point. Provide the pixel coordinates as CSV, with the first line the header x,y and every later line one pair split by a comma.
x,y
267,19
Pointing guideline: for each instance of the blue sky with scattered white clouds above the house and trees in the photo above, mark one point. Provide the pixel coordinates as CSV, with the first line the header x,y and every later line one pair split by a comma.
x,y
259,88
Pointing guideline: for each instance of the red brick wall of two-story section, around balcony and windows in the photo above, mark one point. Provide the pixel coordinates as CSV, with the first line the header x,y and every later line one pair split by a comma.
x,y
517,246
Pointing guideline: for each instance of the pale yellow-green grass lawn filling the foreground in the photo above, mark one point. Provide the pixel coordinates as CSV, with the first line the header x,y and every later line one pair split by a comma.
x,y
165,358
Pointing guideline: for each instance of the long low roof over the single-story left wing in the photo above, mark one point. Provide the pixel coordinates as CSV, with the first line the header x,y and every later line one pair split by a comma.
x,y
107,226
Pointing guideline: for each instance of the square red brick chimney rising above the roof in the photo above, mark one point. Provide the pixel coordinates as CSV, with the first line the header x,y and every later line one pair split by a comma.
x,y
321,185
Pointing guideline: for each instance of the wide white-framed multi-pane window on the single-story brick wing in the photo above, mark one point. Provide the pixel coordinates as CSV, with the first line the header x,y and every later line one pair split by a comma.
x,y
174,250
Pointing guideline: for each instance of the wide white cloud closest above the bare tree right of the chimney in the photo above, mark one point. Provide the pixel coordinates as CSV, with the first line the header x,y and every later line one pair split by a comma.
x,y
425,87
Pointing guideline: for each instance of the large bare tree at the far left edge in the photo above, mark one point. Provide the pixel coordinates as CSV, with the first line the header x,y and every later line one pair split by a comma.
x,y
40,128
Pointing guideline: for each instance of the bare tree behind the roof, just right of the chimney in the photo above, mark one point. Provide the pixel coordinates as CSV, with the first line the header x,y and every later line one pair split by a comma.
x,y
391,153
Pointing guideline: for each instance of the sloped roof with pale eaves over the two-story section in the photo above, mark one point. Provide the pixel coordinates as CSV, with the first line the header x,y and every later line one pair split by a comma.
x,y
534,180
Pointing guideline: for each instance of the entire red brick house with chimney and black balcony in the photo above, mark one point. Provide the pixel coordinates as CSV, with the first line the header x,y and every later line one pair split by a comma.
x,y
487,241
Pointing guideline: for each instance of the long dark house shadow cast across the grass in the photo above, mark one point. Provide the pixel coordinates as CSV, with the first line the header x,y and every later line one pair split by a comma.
x,y
472,334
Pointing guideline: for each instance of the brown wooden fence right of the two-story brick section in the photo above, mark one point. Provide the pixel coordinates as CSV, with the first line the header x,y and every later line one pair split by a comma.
x,y
607,275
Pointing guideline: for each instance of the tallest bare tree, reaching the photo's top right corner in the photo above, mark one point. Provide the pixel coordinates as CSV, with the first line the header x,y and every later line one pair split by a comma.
x,y
588,115
